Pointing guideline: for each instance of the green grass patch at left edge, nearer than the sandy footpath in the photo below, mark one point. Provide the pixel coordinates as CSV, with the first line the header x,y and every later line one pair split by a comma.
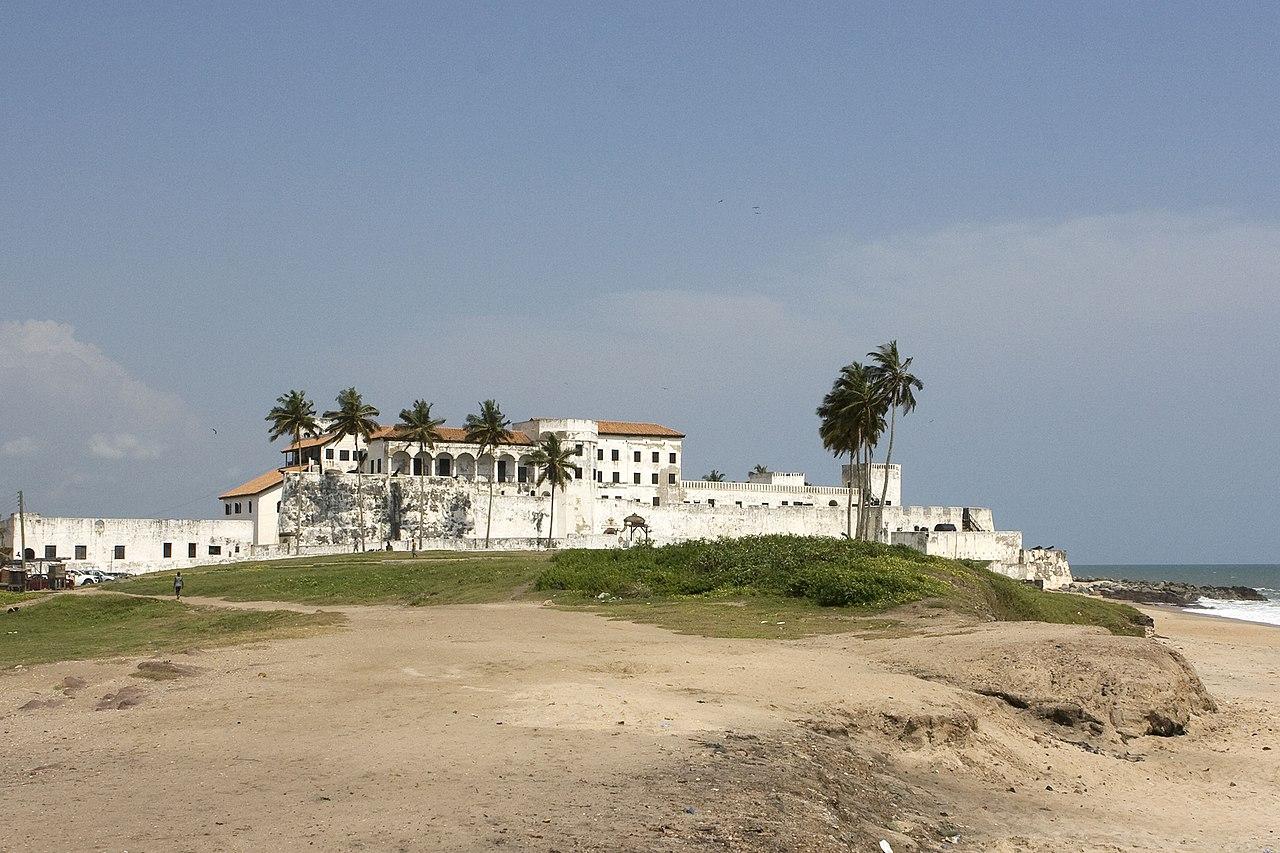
x,y
74,628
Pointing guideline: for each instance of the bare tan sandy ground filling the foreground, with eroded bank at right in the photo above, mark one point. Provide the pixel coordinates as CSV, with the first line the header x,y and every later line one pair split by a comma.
x,y
527,728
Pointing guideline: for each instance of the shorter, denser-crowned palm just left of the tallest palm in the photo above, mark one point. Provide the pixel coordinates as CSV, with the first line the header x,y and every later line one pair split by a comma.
x,y
852,418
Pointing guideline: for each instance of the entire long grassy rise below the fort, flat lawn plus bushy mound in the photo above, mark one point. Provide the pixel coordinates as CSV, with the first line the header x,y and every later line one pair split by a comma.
x,y
725,589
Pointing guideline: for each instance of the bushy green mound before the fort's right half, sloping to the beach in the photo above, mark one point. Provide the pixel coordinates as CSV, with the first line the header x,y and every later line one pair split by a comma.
x,y
801,581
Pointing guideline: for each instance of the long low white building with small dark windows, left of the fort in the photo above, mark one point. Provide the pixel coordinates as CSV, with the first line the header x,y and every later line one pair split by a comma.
x,y
127,545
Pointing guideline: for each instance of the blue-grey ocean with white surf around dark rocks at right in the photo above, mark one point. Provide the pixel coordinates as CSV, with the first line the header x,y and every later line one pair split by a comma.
x,y
1263,577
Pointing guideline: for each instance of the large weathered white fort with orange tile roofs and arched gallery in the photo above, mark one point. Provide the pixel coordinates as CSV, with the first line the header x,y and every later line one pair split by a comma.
x,y
627,486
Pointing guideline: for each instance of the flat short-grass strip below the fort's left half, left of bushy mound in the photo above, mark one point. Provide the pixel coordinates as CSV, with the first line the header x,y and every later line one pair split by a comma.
x,y
383,578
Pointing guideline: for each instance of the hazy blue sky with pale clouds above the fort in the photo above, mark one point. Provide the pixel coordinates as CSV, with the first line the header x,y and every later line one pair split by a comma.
x,y
693,215
